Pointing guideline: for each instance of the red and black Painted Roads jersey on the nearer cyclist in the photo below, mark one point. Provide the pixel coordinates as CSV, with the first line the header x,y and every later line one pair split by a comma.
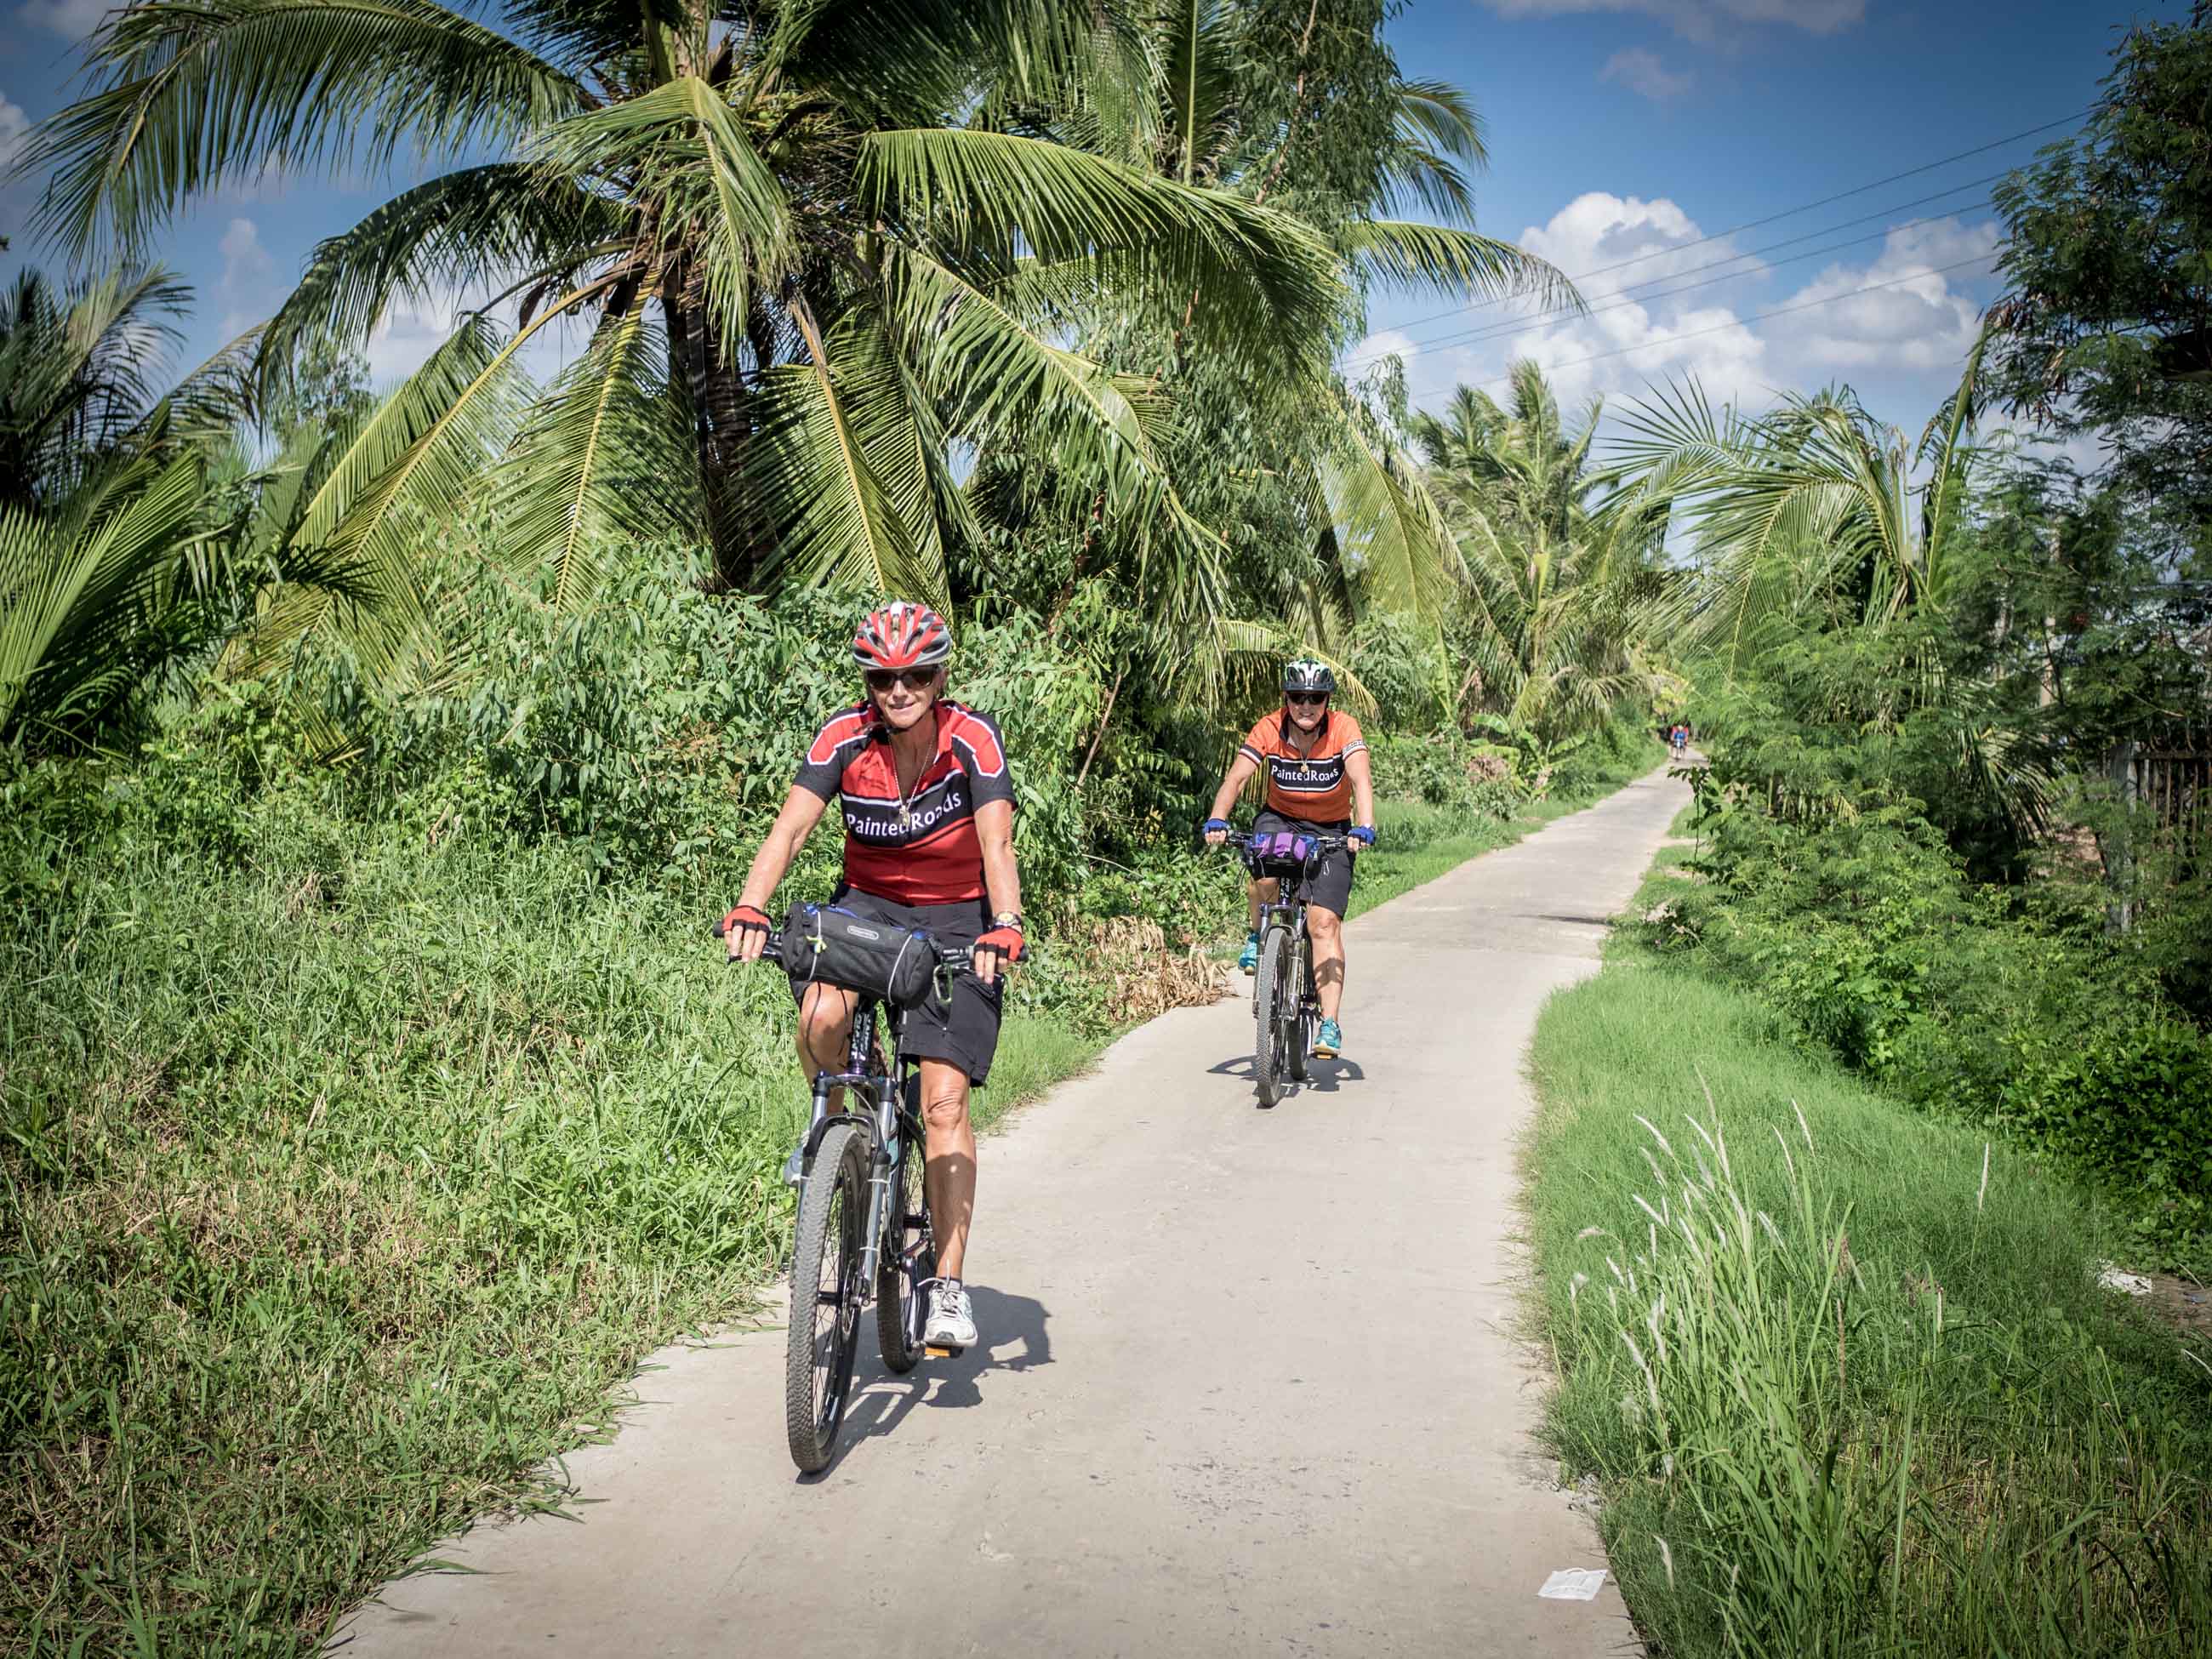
x,y
921,851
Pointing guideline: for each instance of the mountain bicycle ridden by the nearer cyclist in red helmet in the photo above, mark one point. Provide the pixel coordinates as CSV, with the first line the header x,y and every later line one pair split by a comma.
x,y
864,1224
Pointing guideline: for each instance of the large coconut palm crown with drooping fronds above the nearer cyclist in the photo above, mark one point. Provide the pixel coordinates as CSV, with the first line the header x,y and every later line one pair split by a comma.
x,y
817,251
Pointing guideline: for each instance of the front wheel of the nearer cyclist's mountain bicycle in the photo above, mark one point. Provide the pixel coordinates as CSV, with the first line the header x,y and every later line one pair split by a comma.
x,y
826,1297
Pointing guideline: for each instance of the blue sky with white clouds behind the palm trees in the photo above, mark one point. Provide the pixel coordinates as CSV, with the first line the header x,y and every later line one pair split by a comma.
x,y
1618,132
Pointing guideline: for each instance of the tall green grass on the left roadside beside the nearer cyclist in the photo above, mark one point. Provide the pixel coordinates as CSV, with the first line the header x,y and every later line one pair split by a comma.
x,y
342,1193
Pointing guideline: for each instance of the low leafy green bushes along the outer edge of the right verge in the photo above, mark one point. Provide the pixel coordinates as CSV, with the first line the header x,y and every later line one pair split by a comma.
x,y
1864,932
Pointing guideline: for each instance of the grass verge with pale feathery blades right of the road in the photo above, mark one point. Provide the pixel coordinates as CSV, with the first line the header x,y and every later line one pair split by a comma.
x,y
1844,1373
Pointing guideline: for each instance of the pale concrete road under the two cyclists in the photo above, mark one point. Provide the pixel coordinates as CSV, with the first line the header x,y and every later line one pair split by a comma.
x,y
1249,1379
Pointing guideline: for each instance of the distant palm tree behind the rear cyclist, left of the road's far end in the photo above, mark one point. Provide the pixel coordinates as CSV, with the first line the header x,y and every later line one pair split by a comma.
x,y
1561,616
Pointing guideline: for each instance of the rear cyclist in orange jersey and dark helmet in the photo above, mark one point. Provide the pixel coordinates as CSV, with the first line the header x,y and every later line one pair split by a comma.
x,y
1317,771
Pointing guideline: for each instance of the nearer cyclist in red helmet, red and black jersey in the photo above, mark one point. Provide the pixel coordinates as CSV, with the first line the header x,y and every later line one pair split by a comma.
x,y
928,804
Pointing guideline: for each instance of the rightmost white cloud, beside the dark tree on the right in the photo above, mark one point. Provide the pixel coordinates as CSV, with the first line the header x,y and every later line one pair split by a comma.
x,y
1914,320
